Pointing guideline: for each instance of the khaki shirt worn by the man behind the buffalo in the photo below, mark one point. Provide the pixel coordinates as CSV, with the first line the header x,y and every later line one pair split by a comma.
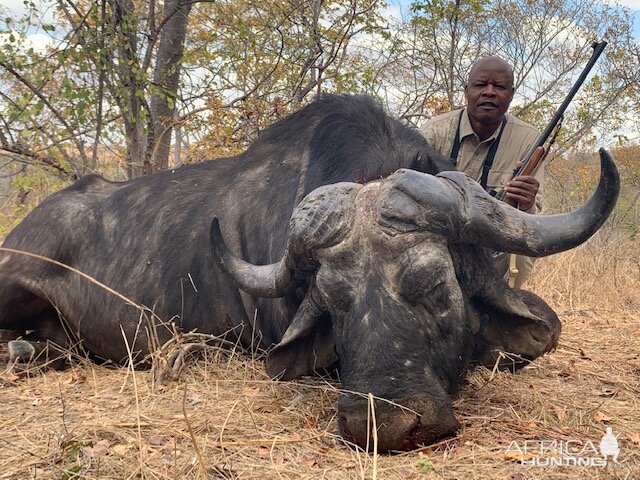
x,y
517,137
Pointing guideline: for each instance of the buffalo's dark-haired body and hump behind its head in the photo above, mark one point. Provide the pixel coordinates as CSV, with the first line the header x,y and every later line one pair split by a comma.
x,y
146,238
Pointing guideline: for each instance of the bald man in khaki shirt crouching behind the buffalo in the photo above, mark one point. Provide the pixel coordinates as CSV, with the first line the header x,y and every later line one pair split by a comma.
x,y
487,143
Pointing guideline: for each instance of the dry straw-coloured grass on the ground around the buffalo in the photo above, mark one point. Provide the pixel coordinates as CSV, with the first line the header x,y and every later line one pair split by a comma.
x,y
223,418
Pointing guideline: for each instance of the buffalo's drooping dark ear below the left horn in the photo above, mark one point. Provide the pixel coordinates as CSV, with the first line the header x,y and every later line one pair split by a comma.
x,y
307,345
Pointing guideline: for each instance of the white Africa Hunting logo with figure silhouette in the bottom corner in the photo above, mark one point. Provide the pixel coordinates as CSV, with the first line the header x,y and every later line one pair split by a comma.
x,y
567,453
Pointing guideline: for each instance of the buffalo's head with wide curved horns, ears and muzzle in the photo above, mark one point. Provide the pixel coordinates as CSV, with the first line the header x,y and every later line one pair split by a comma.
x,y
383,267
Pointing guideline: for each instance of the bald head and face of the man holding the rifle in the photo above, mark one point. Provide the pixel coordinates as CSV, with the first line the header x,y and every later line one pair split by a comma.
x,y
489,91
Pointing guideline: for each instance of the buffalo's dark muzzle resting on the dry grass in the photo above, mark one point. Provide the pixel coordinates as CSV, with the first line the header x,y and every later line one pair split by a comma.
x,y
399,425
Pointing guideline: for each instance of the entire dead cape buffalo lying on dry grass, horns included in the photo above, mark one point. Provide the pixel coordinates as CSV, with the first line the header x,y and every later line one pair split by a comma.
x,y
392,280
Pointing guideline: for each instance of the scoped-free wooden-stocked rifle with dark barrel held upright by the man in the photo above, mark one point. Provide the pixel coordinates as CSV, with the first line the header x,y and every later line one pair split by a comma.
x,y
537,152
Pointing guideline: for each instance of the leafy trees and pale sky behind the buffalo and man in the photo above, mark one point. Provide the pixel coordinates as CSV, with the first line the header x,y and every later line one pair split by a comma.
x,y
108,89
